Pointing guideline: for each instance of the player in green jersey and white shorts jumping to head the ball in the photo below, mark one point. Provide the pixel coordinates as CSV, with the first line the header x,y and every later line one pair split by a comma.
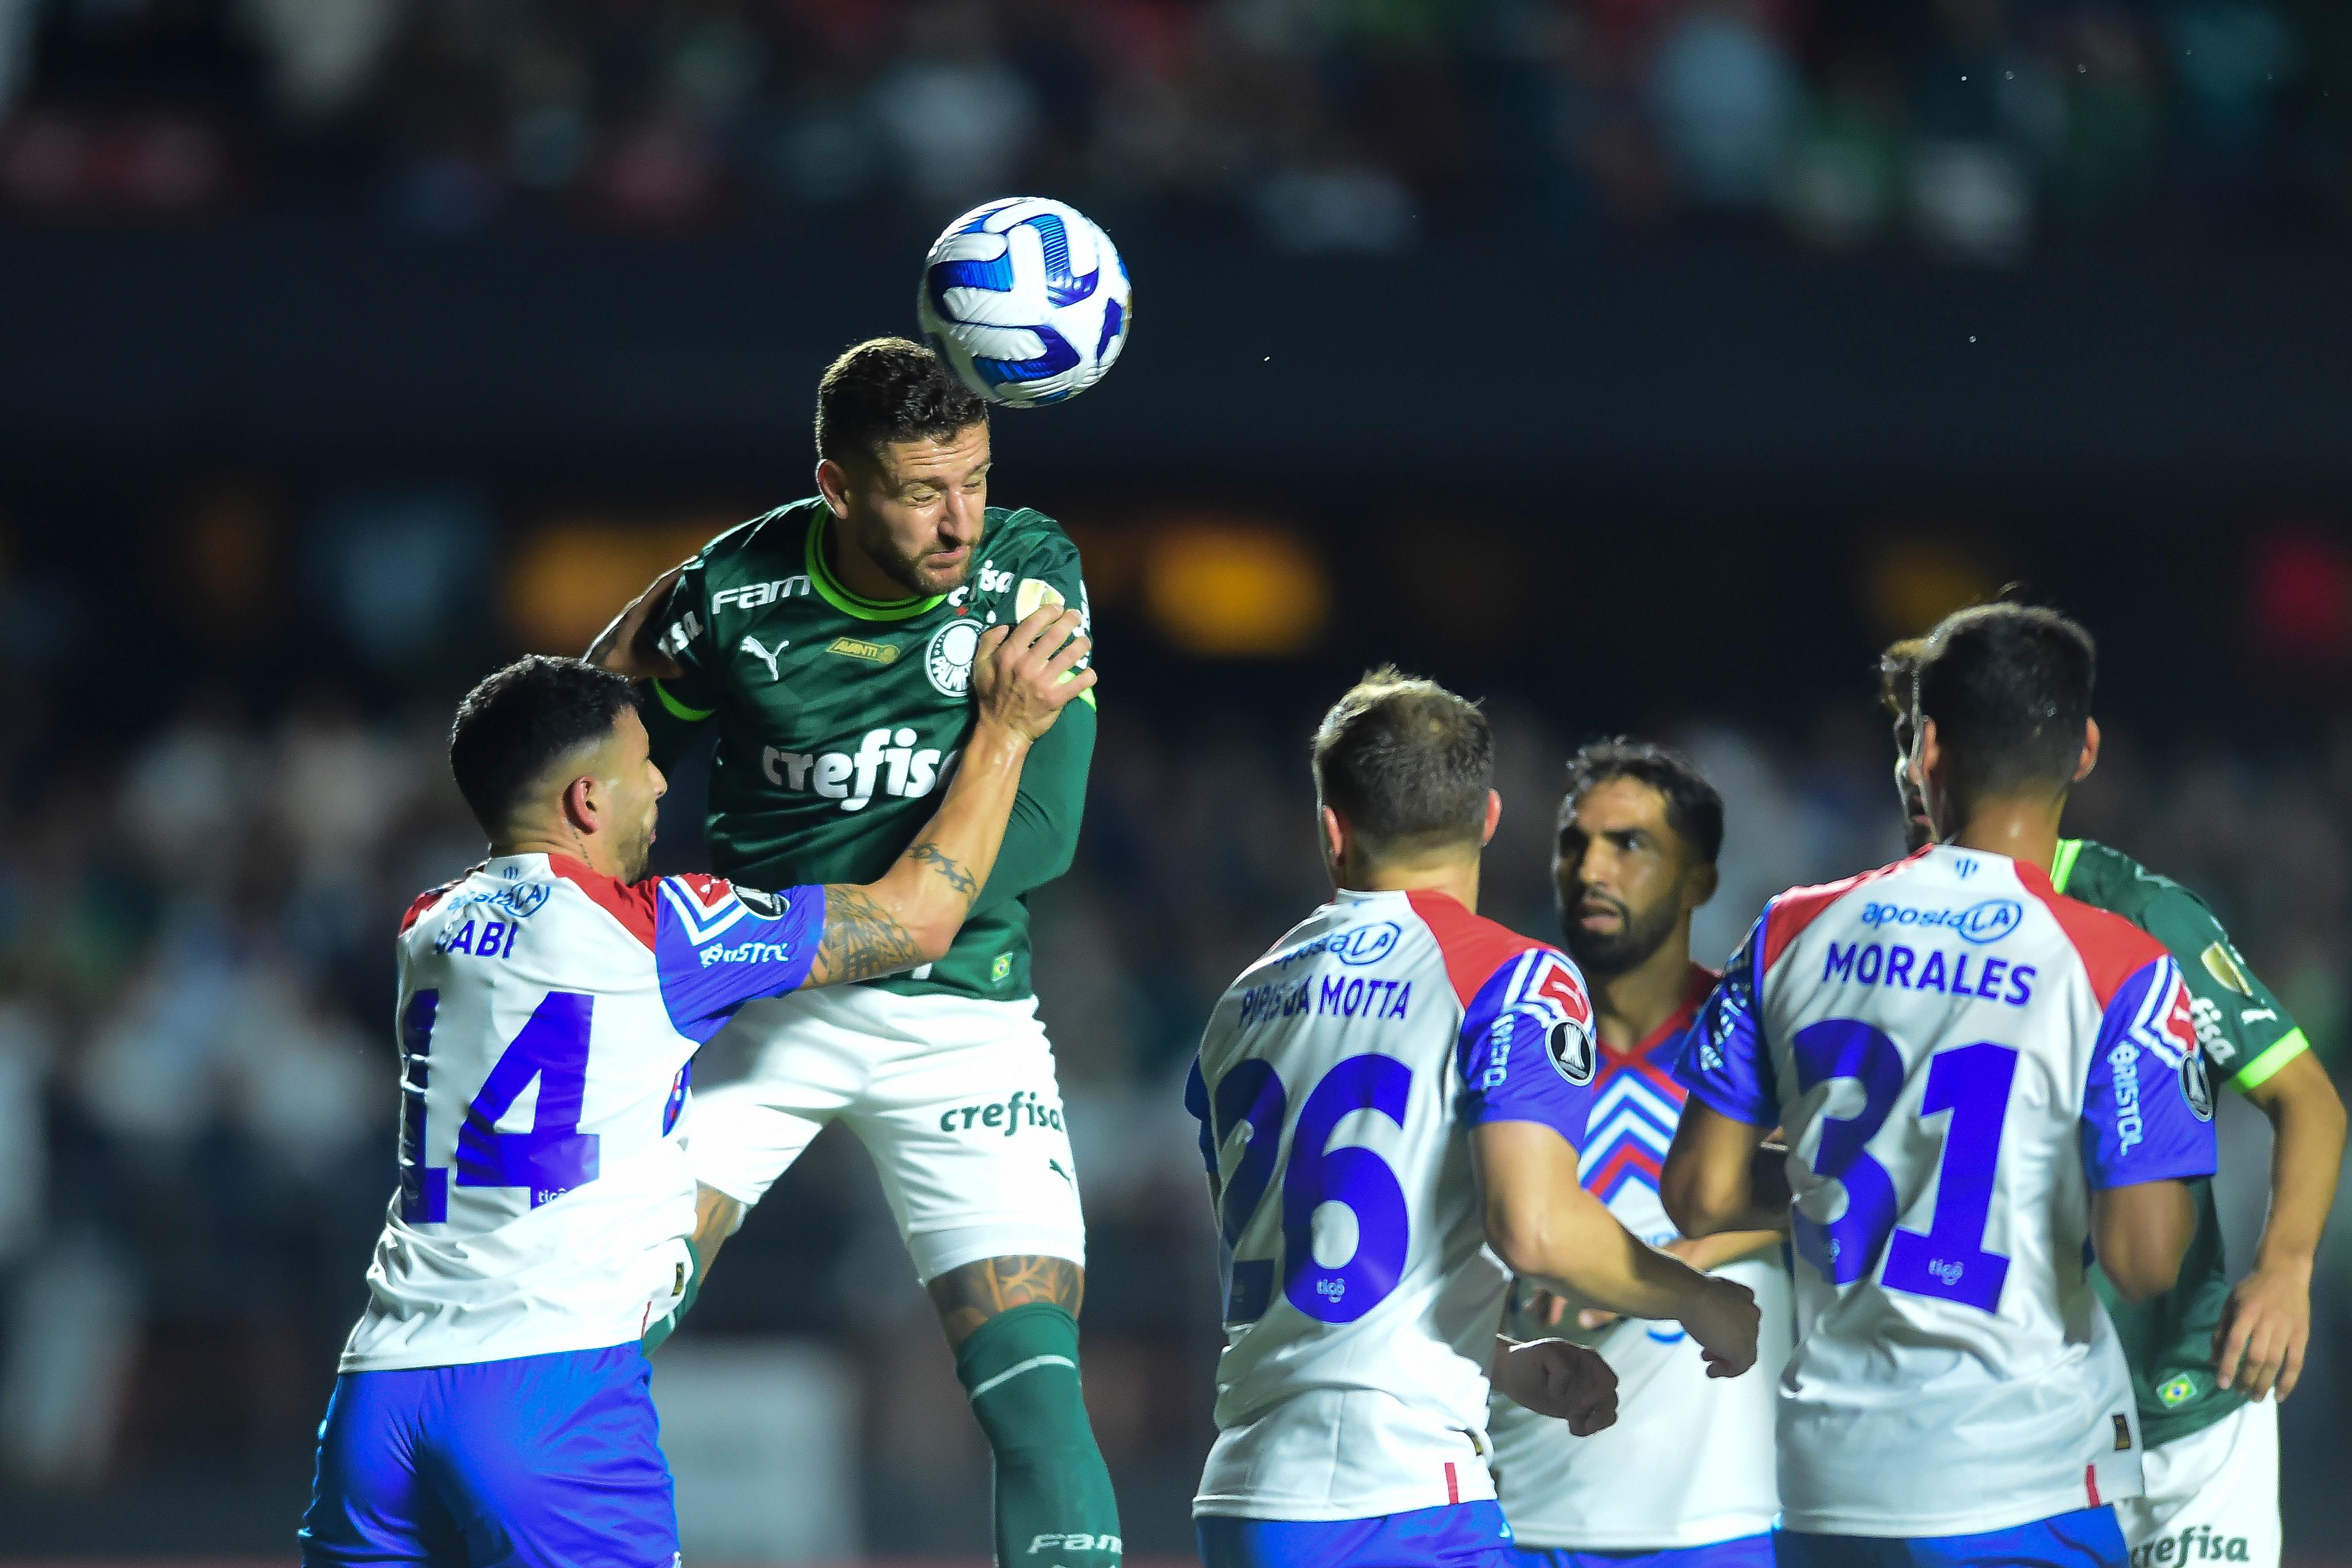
x,y
829,645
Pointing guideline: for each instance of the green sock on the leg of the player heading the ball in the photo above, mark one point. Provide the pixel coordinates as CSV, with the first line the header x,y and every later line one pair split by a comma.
x,y
1055,1503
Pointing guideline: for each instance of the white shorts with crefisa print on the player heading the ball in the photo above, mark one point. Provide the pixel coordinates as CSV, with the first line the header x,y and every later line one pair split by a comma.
x,y
951,1097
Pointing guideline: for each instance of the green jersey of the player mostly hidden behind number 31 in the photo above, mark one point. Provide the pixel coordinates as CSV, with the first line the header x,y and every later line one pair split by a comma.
x,y
2247,1038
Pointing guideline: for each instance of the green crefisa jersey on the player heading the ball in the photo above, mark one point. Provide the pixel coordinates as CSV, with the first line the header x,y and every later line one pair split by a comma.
x,y
841,718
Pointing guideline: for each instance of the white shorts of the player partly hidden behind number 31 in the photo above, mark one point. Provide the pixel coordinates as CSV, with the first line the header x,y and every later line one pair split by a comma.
x,y
2212,1496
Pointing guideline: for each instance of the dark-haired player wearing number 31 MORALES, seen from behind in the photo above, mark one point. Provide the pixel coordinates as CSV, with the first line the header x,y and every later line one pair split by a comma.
x,y
1979,1083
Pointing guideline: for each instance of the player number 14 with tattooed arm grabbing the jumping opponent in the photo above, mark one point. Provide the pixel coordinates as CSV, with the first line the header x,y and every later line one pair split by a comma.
x,y
493,1400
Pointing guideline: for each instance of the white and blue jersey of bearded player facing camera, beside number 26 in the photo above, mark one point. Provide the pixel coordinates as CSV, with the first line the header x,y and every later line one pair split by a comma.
x,y
1690,1461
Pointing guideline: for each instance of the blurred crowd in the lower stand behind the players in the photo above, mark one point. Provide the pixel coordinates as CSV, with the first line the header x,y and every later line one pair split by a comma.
x,y
199,1080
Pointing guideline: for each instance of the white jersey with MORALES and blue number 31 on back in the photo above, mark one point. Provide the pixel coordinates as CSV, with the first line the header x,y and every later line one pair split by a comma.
x,y
1958,1057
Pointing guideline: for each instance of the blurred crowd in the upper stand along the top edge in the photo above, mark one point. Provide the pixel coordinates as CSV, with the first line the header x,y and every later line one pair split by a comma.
x,y
1972,128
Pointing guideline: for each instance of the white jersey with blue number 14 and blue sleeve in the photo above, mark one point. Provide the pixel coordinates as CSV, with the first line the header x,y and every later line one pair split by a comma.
x,y
547,1021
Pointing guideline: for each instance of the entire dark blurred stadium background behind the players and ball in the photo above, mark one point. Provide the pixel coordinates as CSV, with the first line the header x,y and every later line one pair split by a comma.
x,y
1626,363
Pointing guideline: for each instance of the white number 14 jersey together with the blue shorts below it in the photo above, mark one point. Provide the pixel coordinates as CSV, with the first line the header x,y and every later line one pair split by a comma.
x,y
493,1402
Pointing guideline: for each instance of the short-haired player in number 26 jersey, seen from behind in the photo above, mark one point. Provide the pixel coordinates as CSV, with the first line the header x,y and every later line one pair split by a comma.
x,y
1389,1094
